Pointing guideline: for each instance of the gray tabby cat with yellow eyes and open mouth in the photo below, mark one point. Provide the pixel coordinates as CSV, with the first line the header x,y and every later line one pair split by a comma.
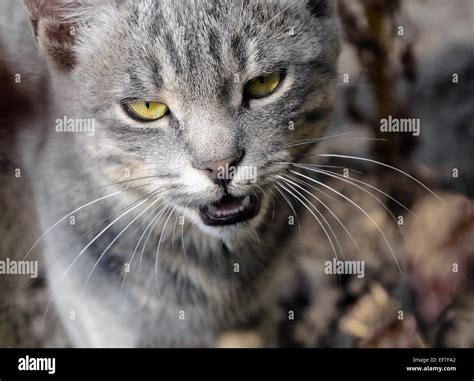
x,y
153,115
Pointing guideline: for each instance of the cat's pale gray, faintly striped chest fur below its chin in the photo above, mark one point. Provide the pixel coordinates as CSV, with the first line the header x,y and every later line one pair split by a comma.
x,y
180,296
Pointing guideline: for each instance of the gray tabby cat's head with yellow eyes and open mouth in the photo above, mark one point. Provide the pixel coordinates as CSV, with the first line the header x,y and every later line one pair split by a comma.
x,y
205,95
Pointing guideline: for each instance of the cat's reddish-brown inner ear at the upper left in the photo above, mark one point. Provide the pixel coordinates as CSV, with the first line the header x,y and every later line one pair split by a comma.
x,y
54,30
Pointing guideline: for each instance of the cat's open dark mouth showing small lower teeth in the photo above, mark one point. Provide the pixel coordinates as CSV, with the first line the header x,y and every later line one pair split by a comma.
x,y
230,210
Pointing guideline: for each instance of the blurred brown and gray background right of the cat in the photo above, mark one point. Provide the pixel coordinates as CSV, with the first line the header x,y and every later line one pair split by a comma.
x,y
405,59
